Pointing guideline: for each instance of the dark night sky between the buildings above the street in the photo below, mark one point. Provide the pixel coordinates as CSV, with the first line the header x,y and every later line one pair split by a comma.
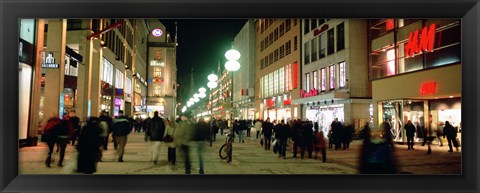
x,y
201,44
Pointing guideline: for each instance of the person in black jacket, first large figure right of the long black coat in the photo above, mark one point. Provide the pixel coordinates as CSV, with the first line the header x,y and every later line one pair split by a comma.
x,y
121,127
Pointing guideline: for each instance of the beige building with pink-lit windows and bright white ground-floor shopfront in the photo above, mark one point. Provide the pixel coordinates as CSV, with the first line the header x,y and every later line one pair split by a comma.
x,y
335,72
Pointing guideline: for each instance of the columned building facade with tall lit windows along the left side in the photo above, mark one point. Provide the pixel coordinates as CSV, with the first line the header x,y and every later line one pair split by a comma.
x,y
83,65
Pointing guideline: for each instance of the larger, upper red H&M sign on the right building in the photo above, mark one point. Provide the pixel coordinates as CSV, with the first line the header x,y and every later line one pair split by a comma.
x,y
418,45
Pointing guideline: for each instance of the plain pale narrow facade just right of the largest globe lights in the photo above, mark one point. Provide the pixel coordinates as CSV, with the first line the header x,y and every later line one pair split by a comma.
x,y
244,78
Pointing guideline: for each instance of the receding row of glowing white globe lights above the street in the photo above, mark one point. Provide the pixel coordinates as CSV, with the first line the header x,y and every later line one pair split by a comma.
x,y
231,65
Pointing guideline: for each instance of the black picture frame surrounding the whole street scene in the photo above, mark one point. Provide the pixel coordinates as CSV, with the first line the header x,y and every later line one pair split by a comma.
x,y
11,11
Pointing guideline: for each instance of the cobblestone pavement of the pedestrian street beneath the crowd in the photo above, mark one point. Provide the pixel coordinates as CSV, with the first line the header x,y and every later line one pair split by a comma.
x,y
248,158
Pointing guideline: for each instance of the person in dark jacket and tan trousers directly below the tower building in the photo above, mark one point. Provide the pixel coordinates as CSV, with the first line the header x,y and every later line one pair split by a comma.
x,y
156,132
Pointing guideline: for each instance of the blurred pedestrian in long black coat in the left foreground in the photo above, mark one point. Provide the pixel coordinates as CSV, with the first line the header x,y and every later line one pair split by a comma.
x,y
89,146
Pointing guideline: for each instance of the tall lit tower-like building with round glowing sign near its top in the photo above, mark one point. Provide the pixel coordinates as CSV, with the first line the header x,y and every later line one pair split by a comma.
x,y
162,70
